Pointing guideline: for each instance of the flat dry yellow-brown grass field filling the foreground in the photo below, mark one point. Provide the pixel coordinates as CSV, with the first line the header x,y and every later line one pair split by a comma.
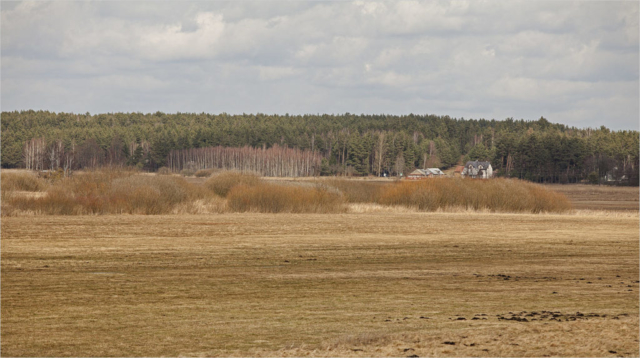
x,y
382,284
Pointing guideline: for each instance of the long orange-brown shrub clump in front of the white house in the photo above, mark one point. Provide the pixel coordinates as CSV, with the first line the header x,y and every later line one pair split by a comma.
x,y
498,195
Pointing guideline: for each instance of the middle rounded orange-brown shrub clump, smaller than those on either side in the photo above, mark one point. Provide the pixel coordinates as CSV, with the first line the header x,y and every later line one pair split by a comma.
x,y
273,198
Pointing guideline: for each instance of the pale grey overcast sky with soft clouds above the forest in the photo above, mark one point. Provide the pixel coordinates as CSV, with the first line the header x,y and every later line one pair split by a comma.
x,y
571,62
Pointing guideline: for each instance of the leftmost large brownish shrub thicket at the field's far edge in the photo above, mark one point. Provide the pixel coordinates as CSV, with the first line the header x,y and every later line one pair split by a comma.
x,y
110,192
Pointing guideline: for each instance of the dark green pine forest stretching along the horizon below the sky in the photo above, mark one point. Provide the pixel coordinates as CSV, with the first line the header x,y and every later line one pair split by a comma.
x,y
347,144
